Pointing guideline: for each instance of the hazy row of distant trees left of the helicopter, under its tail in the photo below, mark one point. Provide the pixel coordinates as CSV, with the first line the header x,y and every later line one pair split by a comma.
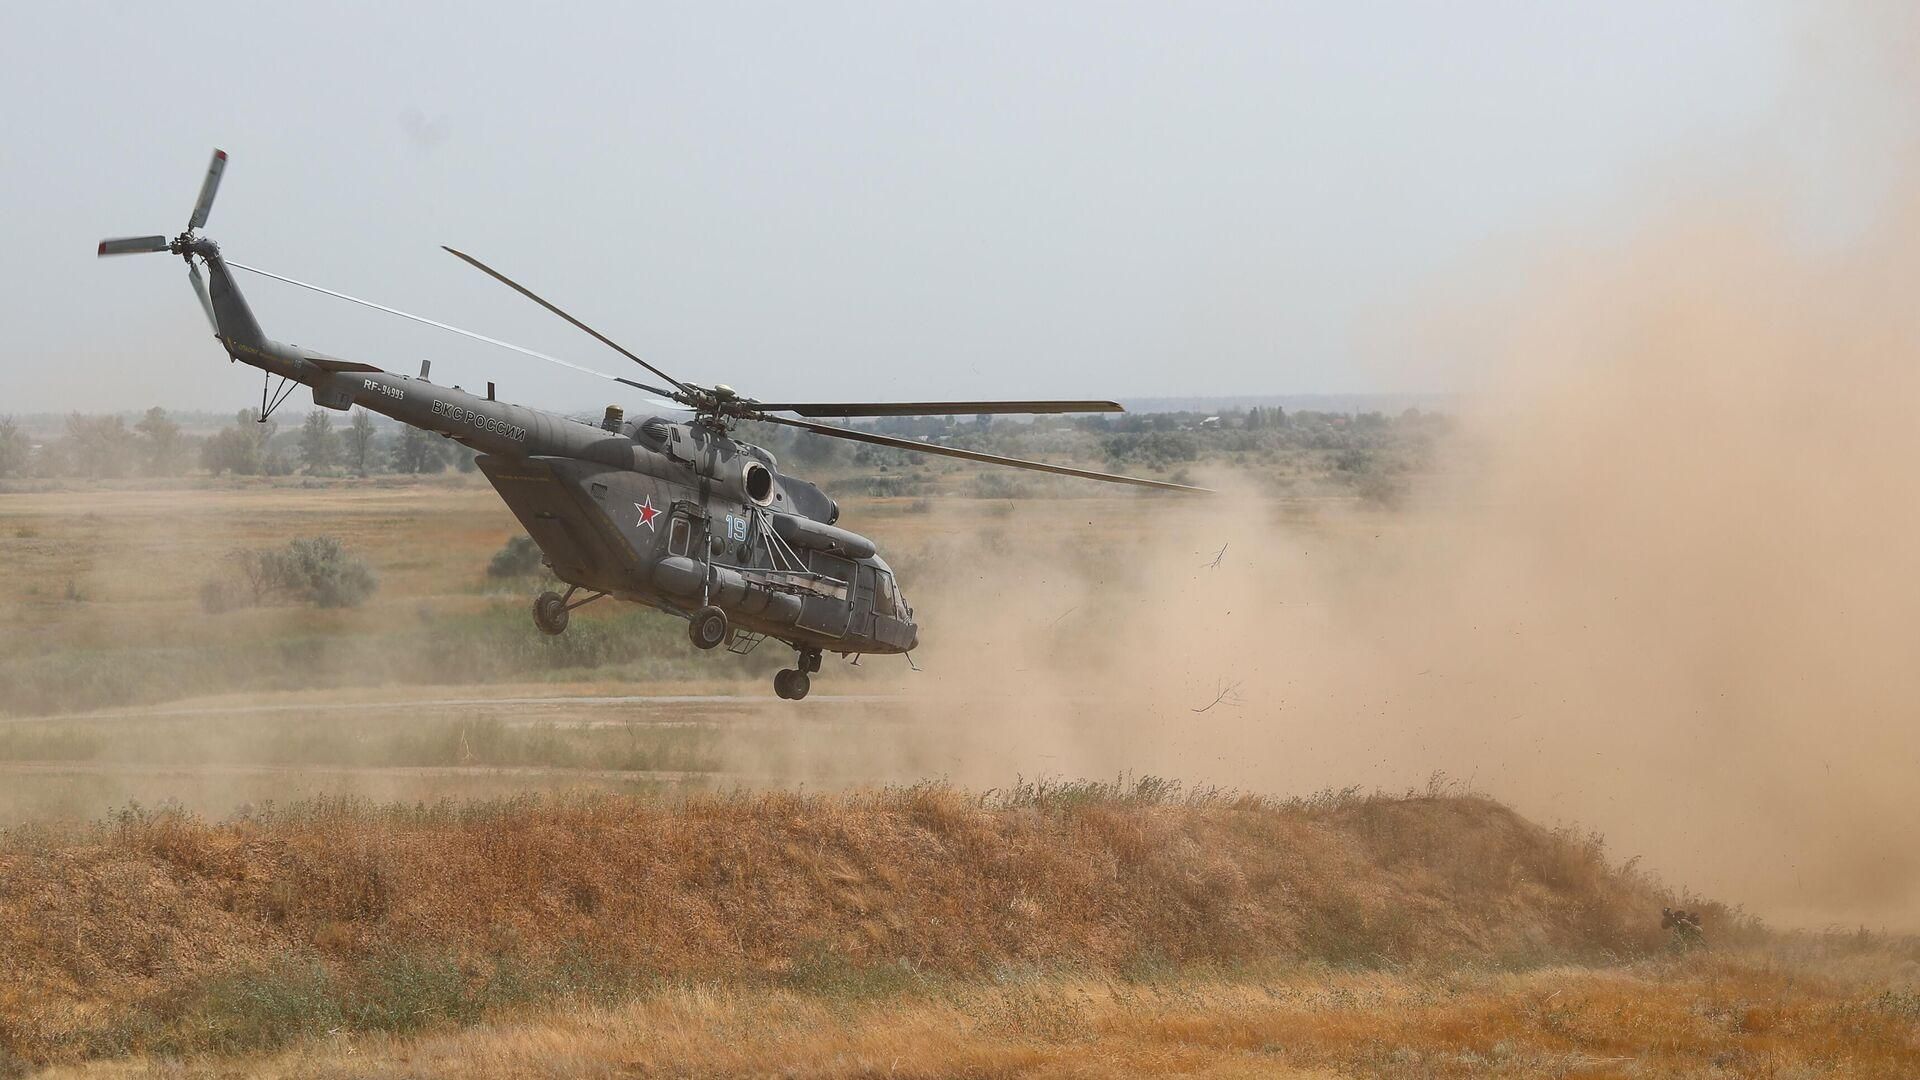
x,y
107,447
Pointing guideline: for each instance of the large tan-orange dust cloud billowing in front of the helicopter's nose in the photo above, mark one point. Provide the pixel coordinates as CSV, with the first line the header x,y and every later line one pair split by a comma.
x,y
1666,587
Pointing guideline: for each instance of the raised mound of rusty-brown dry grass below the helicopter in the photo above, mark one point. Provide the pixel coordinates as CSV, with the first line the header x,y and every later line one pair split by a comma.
x,y
164,933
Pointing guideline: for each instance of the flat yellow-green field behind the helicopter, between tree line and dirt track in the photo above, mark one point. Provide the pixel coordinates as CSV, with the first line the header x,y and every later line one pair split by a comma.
x,y
101,591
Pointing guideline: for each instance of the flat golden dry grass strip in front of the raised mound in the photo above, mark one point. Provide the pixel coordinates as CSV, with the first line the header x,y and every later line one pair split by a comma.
x,y
1744,1016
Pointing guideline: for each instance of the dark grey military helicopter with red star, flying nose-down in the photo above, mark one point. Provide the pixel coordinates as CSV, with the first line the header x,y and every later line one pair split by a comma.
x,y
675,514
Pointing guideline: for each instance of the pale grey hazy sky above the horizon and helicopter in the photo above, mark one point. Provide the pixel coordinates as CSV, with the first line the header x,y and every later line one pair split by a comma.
x,y
884,201
